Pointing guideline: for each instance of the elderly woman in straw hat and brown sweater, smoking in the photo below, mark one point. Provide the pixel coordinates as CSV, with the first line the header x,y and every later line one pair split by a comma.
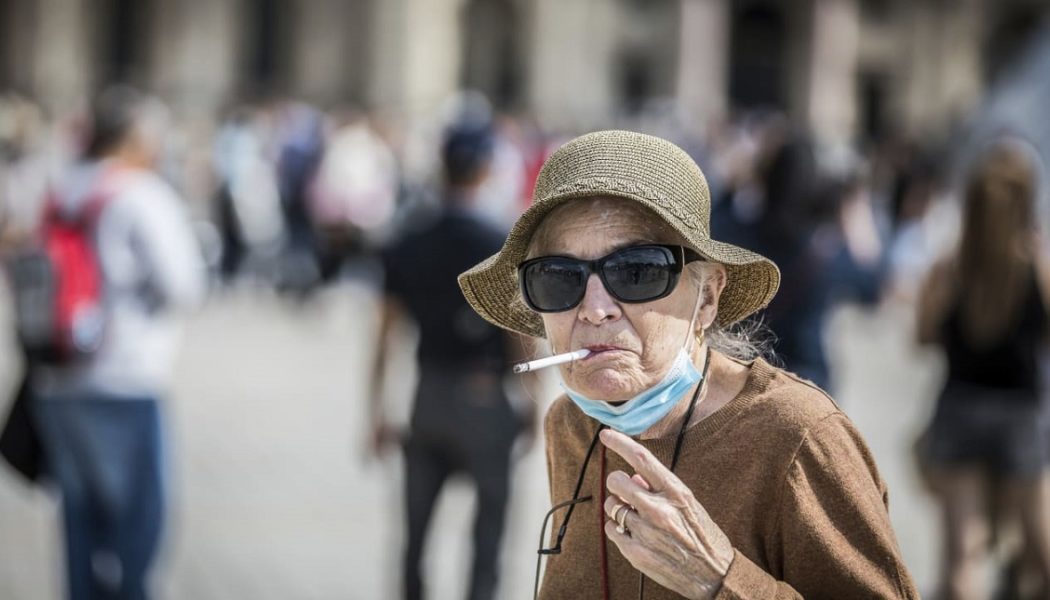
x,y
717,478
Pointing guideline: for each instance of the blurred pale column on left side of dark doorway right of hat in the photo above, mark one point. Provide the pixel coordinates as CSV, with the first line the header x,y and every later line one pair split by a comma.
x,y
703,79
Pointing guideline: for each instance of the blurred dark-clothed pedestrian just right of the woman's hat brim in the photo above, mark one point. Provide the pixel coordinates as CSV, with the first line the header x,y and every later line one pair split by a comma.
x,y
822,233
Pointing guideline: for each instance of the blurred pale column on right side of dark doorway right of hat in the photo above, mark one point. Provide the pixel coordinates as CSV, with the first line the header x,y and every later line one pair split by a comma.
x,y
832,107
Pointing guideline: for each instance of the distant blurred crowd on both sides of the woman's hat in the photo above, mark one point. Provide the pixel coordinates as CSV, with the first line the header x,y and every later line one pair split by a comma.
x,y
284,192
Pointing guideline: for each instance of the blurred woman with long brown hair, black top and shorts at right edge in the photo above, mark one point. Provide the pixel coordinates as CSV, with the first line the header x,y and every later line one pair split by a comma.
x,y
986,308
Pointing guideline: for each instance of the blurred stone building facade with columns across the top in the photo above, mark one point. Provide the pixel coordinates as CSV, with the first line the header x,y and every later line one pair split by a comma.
x,y
848,69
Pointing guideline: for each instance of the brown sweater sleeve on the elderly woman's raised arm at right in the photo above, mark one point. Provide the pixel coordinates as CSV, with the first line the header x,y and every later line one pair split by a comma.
x,y
832,537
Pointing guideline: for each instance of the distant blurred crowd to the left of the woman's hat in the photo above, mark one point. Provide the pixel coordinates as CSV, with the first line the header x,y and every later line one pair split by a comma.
x,y
289,192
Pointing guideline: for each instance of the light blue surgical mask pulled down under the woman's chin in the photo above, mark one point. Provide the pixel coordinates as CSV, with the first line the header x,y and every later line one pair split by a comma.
x,y
648,408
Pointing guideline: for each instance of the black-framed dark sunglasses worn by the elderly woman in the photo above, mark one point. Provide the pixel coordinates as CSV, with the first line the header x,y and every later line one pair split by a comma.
x,y
635,275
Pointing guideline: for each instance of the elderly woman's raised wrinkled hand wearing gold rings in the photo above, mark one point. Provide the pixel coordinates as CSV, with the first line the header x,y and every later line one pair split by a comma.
x,y
669,536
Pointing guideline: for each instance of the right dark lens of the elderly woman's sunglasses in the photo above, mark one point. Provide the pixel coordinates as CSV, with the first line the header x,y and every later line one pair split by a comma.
x,y
640,275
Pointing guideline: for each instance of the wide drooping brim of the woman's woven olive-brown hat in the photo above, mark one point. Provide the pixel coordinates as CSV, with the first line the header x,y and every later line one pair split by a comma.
x,y
493,291
